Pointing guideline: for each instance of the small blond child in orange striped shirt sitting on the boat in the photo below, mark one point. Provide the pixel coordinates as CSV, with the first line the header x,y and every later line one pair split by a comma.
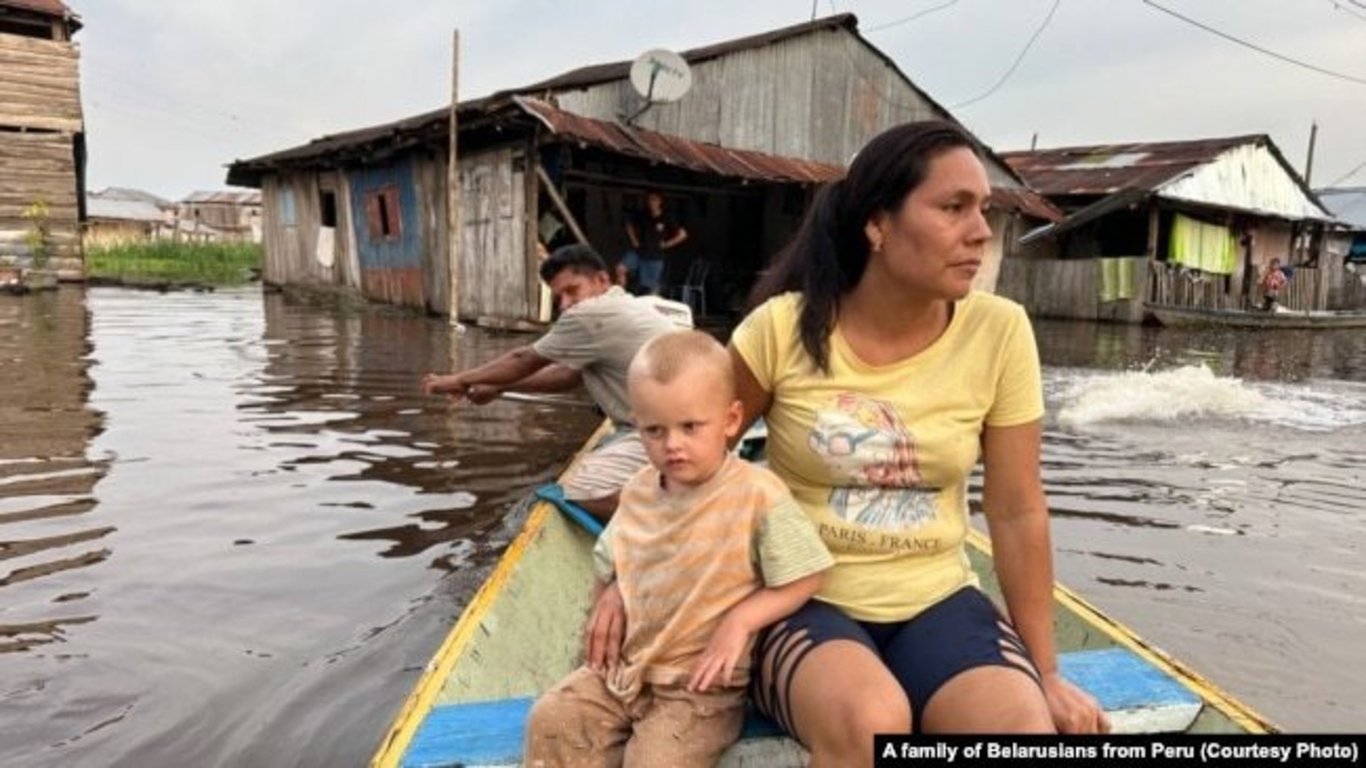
x,y
707,550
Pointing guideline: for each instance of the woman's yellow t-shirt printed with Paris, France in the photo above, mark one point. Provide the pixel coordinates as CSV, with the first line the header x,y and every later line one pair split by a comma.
x,y
879,457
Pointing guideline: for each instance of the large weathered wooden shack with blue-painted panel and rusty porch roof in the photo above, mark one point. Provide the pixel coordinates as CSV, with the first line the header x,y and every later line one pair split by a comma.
x,y
767,120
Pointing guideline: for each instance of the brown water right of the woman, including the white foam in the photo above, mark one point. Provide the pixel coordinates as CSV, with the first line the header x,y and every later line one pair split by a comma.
x,y
1210,490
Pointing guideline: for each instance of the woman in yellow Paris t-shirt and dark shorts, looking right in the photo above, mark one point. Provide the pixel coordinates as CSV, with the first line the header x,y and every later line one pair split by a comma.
x,y
883,379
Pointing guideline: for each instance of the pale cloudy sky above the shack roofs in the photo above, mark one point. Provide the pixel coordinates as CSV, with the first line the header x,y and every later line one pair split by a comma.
x,y
176,90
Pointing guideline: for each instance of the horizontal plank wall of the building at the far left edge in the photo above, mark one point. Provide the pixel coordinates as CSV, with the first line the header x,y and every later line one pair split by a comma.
x,y
40,117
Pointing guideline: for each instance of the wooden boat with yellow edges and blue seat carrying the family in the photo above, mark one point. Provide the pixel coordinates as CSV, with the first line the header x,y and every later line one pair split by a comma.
x,y
522,632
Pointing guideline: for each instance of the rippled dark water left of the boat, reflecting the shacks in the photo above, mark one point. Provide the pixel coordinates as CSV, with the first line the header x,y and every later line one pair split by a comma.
x,y
232,531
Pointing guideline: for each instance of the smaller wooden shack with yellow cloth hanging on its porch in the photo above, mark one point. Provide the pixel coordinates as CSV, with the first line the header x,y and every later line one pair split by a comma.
x,y
1182,223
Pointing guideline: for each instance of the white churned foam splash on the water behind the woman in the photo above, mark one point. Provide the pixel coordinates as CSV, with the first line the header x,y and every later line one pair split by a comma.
x,y
1195,392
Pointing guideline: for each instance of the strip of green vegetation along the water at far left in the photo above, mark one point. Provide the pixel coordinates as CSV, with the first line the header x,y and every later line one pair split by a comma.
x,y
165,262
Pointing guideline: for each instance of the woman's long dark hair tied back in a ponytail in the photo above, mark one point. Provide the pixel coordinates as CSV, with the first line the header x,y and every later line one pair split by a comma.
x,y
830,252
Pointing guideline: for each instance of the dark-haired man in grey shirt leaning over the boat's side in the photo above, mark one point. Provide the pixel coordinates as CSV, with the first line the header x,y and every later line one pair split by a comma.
x,y
592,344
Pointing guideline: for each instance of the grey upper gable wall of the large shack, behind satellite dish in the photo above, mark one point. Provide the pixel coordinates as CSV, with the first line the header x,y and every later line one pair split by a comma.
x,y
819,96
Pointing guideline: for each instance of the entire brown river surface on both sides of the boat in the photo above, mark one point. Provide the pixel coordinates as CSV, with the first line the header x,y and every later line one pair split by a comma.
x,y
233,531
